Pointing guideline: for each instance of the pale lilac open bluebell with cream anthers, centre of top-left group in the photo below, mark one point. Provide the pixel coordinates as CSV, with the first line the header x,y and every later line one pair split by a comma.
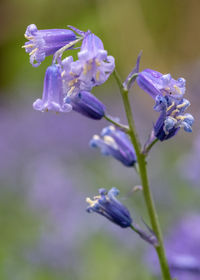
x,y
92,68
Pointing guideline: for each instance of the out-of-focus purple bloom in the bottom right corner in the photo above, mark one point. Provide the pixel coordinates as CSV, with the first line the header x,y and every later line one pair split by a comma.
x,y
182,249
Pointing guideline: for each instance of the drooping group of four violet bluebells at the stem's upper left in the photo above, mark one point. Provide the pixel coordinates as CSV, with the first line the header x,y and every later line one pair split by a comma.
x,y
68,84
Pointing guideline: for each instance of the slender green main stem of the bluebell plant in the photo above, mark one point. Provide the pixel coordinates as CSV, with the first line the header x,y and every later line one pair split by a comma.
x,y
141,159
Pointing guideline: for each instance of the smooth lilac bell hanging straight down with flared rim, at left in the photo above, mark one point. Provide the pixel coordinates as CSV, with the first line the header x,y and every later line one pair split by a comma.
x,y
52,99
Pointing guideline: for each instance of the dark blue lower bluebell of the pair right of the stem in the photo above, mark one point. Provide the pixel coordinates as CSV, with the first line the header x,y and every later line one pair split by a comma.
x,y
172,117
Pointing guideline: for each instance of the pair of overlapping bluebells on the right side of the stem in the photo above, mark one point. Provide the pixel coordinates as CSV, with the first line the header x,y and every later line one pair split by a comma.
x,y
168,95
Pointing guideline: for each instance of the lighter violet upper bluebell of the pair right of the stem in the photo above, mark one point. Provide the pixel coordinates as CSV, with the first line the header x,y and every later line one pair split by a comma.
x,y
155,83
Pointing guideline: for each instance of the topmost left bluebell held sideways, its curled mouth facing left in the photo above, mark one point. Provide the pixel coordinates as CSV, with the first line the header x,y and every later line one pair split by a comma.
x,y
45,42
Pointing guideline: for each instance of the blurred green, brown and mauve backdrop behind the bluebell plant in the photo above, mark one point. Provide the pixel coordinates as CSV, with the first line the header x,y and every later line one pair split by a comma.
x,y
46,166
